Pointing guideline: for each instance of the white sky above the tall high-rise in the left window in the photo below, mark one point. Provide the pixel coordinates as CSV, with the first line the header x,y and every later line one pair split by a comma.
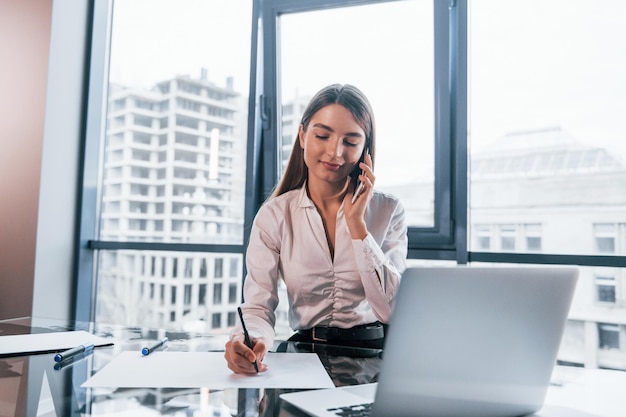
x,y
153,40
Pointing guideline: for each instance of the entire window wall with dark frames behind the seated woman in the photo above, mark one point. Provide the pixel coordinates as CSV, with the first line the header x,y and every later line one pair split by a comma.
x,y
499,127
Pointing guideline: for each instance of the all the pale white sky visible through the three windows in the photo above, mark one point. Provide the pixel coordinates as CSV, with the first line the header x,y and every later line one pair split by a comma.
x,y
532,64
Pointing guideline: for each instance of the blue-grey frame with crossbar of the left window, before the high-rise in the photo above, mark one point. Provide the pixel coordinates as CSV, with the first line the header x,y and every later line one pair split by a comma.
x,y
96,92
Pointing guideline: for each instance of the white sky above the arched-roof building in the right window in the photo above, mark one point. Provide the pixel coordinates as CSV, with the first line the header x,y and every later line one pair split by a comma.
x,y
549,63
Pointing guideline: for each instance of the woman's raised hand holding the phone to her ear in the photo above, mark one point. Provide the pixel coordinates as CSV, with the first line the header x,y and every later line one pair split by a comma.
x,y
354,208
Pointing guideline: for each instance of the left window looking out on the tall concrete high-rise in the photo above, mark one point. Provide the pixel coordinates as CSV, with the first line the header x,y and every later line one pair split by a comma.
x,y
172,163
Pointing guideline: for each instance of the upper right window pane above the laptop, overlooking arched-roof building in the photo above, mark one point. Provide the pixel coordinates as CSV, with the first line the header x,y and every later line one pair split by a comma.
x,y
546,93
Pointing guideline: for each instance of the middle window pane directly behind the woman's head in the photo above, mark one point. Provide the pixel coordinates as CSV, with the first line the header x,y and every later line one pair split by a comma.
x,y
393,65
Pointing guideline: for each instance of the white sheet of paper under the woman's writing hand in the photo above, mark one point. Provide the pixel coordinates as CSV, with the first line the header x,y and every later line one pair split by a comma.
x,y
208,369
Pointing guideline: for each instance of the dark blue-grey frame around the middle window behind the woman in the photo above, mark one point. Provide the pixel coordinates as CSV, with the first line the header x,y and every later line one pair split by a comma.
x,y
443,240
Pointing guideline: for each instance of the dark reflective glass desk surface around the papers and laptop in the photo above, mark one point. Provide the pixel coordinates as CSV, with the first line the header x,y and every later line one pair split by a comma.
x,y
35,385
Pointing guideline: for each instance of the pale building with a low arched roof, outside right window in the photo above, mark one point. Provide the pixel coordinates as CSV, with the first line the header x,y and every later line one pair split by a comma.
x,y
541,191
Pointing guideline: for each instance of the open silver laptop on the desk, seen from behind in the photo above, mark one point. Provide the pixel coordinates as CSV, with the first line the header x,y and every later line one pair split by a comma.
x,y
463,341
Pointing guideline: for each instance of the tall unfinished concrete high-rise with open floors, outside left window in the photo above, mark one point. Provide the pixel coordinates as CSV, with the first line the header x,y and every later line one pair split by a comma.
x,y
174,171
